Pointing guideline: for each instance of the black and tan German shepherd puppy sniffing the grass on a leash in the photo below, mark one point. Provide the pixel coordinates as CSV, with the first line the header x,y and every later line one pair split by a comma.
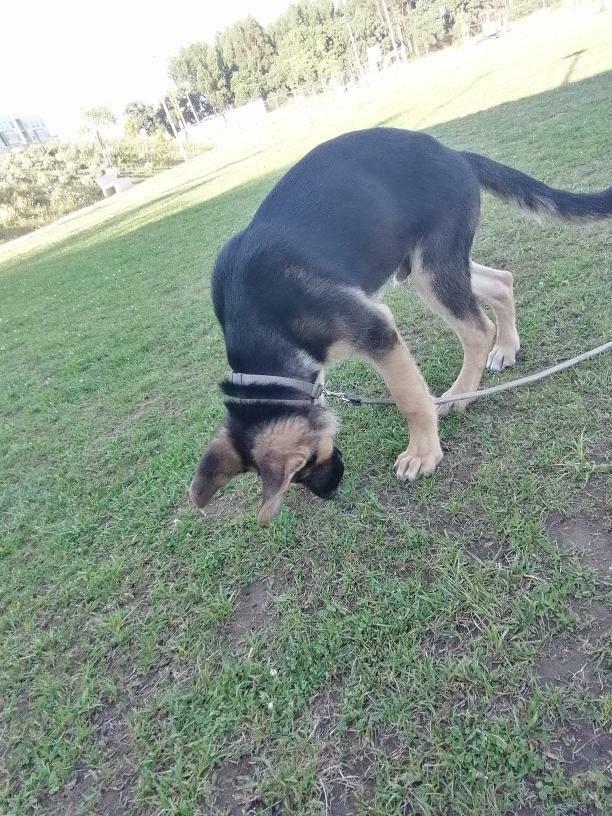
x,y
298,289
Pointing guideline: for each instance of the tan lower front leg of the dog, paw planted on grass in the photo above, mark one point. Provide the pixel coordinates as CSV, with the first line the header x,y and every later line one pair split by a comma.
x,y
412,397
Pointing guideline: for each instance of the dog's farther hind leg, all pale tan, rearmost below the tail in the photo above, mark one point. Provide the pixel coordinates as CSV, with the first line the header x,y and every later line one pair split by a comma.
x,y
495,288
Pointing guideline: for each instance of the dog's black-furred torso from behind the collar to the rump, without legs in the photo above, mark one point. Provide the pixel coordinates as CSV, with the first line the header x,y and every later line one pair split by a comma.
x,y
349,214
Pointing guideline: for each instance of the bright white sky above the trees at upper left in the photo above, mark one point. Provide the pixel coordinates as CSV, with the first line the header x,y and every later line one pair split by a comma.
x,y
59,57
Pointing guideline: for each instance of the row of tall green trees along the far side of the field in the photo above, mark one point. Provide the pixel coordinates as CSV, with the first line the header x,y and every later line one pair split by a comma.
x,y
312,41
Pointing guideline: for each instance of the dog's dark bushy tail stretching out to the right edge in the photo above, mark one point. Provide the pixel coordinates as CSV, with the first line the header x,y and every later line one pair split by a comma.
x,y
535,196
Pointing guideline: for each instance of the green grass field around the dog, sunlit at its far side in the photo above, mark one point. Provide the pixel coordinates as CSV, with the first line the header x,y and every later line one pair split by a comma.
x,y
442,648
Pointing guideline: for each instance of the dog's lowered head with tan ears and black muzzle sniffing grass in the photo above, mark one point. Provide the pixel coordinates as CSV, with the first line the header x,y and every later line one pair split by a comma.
x,y
282,445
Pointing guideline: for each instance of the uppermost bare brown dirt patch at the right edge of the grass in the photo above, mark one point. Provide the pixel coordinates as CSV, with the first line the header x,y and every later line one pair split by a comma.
x,y
590,536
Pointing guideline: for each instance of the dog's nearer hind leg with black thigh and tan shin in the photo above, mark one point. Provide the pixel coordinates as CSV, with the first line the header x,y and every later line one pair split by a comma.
x,y
444,285
